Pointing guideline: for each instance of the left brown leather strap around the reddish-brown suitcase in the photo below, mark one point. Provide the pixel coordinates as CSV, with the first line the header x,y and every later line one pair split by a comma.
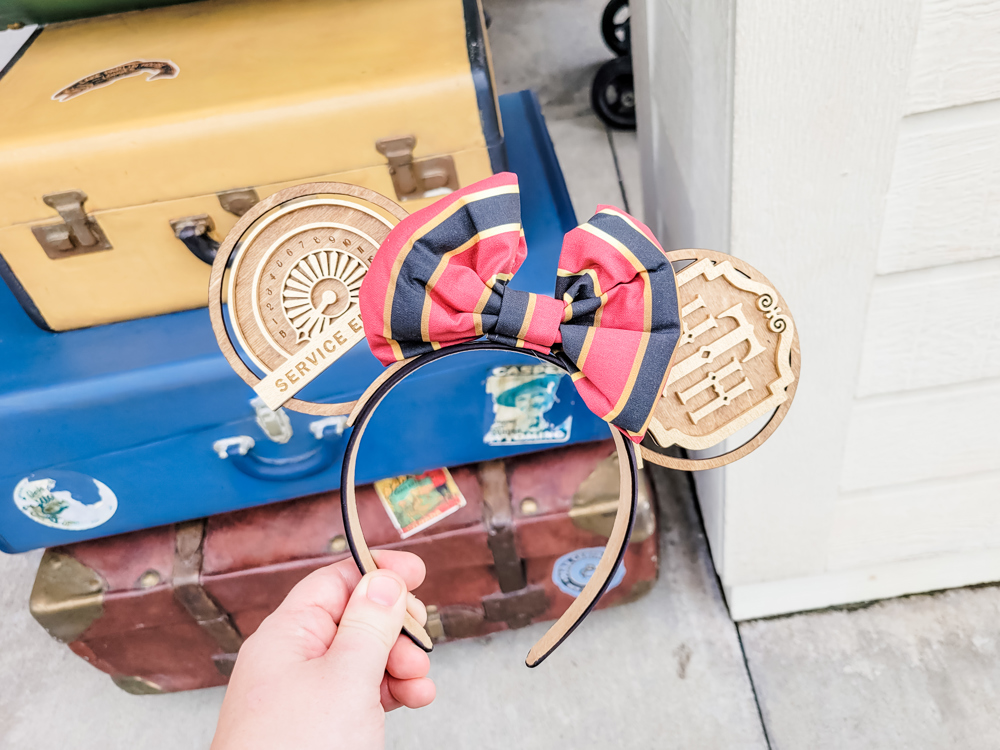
x,y
188,591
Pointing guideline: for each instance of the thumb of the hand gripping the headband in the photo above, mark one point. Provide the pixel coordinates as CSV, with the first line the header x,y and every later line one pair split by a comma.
x,y
369,627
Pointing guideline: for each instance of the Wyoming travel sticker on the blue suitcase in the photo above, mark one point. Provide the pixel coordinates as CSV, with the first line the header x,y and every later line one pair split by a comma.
x,y
524,406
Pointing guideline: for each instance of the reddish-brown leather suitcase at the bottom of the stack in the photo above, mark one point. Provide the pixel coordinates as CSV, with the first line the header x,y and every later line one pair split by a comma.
x,y
167,609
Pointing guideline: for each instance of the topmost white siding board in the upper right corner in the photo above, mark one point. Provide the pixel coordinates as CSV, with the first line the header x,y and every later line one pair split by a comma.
x,y
957,58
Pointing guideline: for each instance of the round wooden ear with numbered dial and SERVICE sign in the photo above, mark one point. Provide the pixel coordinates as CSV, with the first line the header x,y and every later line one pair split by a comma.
x,y
293,266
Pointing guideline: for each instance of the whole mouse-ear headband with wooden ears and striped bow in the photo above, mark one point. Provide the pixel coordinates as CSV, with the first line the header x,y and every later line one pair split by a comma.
x,y
690,357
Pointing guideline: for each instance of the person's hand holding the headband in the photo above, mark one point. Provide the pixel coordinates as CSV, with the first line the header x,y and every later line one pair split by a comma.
x,y
325,666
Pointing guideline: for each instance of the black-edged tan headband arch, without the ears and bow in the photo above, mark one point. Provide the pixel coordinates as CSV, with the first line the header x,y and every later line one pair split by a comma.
x,y
613,552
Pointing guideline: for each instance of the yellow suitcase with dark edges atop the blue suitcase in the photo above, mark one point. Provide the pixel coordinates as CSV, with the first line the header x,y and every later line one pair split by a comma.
x,y
130,144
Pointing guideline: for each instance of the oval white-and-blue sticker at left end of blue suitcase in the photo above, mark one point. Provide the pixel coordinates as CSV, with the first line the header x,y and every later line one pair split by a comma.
x,y
65,500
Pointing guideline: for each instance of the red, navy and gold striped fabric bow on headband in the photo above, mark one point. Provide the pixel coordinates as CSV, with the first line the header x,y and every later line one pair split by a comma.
x,y
440,278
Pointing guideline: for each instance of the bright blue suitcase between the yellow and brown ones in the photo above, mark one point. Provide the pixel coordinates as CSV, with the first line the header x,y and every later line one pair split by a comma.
x,y
133,425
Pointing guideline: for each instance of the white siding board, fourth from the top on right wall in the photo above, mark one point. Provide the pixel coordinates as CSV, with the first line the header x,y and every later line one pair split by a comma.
x,y
942,432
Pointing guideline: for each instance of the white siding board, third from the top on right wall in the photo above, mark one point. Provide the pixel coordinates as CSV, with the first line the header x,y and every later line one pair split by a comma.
x,y
931,328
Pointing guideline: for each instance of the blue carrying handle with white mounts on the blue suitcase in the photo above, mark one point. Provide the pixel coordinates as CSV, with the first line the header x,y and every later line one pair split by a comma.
x,y
240,452
